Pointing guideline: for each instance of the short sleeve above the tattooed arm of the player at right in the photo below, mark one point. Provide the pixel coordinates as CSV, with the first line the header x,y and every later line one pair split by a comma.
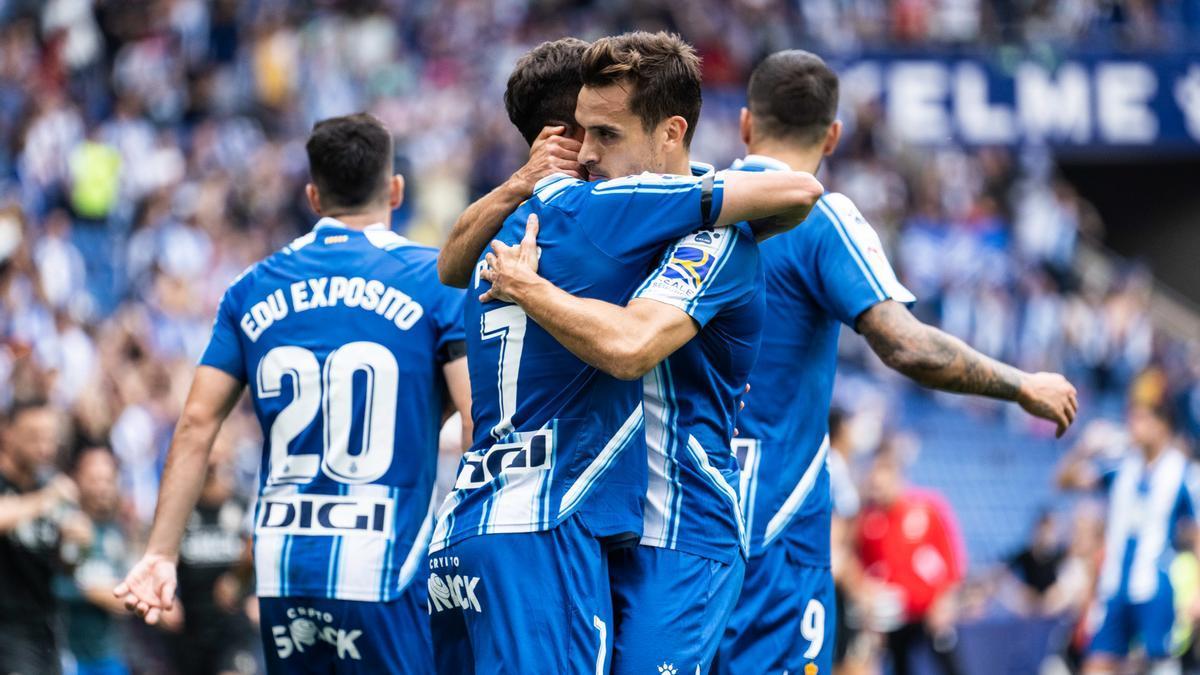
x,y
853,272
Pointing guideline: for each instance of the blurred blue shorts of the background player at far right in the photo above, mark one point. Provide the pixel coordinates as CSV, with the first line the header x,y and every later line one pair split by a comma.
x,y
1149,624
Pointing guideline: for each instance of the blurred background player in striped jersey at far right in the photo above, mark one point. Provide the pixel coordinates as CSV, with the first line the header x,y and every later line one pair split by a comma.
x,y
1153,488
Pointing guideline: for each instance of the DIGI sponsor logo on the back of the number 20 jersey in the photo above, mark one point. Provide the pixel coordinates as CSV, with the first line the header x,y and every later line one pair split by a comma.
x,y
326,515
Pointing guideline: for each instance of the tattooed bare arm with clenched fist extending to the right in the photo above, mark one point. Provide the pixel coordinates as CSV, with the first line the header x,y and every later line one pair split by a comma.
x,y
940,361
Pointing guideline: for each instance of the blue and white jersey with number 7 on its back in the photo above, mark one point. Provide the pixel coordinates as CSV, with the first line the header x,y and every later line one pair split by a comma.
x,y
555,437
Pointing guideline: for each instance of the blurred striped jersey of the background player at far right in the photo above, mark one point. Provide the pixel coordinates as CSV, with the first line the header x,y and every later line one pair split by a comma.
x,y
1147,504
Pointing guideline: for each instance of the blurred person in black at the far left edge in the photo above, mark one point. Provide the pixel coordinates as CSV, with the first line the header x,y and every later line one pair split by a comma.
x,y
41,531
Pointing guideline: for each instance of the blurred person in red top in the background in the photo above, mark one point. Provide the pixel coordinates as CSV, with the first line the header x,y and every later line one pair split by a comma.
x,y
914,563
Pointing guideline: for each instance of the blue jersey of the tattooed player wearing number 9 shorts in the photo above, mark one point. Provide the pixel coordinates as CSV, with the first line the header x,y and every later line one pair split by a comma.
x,y
819,276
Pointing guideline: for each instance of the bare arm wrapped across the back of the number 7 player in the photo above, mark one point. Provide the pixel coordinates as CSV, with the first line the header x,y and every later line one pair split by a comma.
x,y
623,342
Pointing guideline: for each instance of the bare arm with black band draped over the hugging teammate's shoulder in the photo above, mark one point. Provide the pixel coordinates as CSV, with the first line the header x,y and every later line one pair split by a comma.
x,y
772,202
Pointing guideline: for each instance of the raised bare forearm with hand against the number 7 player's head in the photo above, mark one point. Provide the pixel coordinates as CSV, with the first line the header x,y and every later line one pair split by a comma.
x,y
551,153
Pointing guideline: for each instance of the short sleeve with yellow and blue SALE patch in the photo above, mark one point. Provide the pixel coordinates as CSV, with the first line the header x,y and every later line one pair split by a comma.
x,y
705,272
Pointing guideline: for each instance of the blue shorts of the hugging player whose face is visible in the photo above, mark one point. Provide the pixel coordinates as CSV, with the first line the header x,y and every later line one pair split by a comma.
x,y
670,610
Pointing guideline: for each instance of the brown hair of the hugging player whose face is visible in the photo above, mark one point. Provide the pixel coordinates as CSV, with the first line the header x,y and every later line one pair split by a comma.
x,y
663,70
